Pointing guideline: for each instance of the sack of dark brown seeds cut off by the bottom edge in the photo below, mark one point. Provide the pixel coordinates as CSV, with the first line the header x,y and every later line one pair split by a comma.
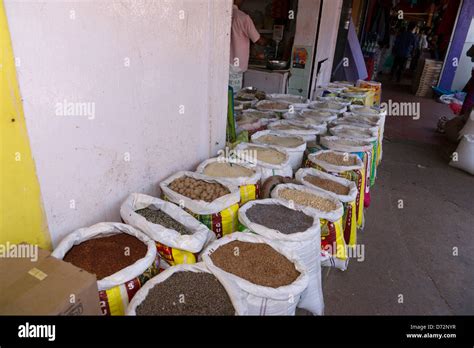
x,y
182,290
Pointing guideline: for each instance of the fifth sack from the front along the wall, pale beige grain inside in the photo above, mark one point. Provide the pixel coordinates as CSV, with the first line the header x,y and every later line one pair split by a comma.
x,y
269,160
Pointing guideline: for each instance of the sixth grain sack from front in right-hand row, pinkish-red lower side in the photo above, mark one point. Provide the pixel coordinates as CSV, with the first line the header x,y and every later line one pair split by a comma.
x,y
362,148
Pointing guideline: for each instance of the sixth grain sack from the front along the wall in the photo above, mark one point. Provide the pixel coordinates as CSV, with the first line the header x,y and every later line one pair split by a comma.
x,y
294,145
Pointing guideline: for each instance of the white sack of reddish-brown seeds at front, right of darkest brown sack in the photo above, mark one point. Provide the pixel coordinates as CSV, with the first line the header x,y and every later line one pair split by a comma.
x,y
261,277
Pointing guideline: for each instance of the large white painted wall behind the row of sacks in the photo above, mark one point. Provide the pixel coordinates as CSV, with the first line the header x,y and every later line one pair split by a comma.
x,y
79,52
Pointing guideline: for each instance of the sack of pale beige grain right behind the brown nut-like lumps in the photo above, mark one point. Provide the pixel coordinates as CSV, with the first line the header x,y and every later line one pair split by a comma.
x,y
243,175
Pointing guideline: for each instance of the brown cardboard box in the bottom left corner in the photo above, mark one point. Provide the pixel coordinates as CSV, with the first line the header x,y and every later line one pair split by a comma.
x,y
46,286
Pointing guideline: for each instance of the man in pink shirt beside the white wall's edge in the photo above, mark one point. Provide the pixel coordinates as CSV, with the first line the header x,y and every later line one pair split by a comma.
x,y
242,32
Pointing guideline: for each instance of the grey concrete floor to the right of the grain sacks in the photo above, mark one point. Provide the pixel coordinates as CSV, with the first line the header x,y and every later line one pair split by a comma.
x,y
412,251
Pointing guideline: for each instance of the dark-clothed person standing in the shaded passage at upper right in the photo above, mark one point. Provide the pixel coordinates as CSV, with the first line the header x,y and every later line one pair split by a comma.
x,y
404,44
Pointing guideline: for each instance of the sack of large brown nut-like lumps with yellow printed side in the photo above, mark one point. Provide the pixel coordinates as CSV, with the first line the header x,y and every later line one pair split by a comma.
x,y
212,201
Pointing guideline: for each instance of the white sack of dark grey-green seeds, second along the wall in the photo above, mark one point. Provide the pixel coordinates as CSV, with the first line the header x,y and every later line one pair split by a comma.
x,y
179,237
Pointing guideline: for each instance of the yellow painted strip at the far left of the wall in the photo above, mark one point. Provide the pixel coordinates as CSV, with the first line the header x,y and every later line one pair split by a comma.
x,y
22,218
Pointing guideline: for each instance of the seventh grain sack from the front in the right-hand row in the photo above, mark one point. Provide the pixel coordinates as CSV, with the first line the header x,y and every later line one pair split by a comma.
x,y
359,132
